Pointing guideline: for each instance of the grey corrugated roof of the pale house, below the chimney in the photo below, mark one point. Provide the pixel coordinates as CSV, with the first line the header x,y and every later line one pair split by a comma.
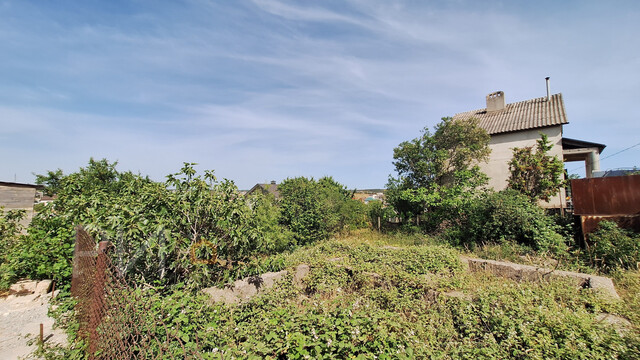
x,y
523,115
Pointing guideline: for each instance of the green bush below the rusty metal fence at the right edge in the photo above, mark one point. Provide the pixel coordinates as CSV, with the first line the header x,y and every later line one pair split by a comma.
x,y
610,247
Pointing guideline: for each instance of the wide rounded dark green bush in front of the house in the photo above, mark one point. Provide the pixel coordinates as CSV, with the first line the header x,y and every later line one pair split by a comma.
x,y
508,216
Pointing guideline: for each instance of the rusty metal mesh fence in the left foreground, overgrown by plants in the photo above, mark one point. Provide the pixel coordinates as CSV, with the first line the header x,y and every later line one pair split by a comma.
x,y
115,320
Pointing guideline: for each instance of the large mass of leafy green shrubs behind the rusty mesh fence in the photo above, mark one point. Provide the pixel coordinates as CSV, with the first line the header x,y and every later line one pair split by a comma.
x,y
191,229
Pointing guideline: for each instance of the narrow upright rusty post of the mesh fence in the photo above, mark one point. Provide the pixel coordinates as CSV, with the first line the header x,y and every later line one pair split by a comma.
x,y
97,297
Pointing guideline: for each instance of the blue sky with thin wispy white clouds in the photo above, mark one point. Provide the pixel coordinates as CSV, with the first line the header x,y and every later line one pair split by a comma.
x,y
270,89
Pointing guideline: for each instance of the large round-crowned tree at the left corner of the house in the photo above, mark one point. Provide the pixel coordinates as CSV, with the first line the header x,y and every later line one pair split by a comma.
x,y
437,171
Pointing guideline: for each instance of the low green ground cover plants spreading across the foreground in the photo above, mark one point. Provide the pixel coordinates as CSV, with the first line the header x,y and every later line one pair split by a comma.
x,y
370,295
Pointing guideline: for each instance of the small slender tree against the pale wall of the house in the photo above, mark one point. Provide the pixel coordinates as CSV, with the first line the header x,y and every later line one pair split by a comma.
x,y
536,174
